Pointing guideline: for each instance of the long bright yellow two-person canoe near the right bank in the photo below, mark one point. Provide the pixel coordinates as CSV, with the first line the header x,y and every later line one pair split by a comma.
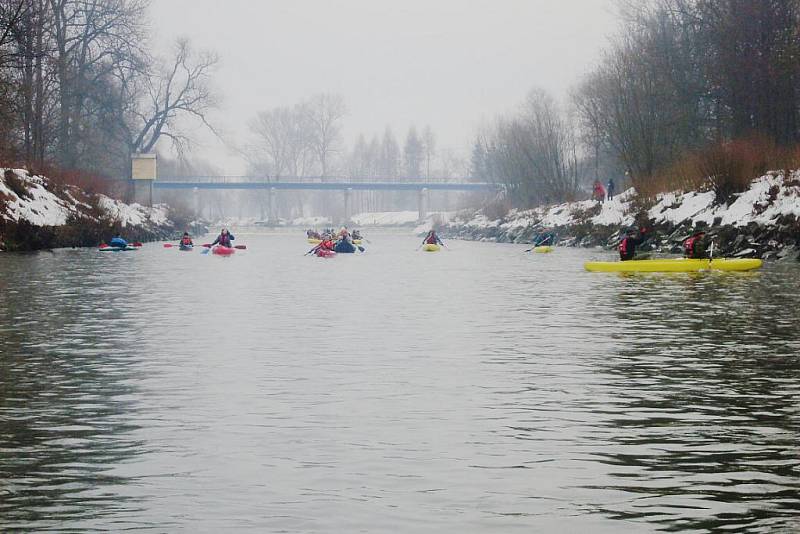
x,y
677,265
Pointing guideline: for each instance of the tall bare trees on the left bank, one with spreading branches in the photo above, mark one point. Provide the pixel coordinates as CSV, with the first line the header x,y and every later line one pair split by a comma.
x,y
80,90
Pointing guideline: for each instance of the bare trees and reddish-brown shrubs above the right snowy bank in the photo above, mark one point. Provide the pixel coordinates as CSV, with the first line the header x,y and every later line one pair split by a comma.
x,y
688,90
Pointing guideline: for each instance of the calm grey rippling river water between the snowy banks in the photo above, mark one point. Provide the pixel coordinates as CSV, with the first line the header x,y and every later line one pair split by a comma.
x,y
478,389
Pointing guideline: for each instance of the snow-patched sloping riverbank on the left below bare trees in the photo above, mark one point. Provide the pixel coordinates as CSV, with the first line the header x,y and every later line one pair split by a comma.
x,y
38,214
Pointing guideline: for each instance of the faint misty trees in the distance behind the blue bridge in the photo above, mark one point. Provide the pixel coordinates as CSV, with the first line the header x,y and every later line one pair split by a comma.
x,y
306,140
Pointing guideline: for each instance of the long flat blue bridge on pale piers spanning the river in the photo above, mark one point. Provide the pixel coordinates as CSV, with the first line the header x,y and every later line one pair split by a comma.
x,y
272,185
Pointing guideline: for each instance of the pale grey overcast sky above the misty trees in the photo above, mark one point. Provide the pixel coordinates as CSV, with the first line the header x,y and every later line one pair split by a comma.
x,y
448,63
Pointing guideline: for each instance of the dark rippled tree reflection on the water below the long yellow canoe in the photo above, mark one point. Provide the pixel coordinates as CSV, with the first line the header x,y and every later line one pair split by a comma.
x,y
706,432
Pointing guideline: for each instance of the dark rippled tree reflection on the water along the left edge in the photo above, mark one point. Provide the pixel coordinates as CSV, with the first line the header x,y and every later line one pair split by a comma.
x,y
67,392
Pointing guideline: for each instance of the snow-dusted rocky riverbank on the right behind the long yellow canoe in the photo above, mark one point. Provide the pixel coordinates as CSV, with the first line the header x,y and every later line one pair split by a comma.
x,y
763,221
